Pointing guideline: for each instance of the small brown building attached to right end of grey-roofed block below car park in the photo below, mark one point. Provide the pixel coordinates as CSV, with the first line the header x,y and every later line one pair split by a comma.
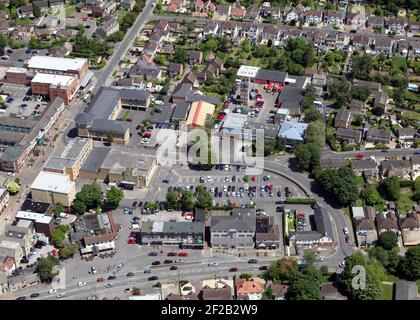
x,y
267,234
